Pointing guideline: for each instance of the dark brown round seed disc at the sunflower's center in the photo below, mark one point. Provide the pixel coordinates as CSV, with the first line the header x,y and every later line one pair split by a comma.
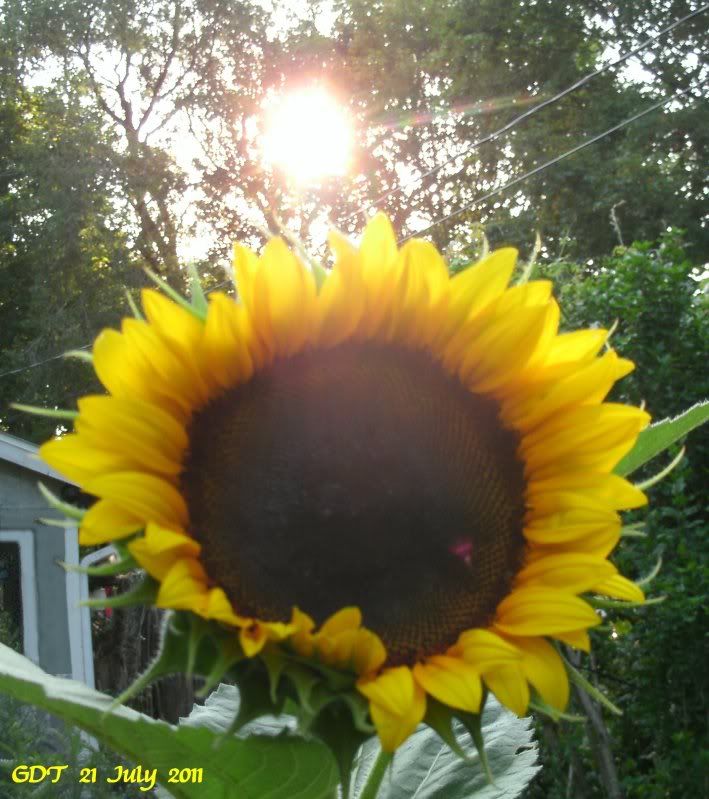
x,y
361,475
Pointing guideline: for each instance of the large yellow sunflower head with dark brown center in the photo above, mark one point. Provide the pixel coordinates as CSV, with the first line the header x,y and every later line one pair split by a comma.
x,y
403,475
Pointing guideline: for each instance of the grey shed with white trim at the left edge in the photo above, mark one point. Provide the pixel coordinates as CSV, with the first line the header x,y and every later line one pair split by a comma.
x,y
39,600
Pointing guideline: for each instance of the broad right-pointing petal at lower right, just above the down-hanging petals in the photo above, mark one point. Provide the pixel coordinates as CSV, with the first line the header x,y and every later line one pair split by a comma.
x,y
543,611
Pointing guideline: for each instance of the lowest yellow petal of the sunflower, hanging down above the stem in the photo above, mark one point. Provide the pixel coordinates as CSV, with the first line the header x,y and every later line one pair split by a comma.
x,y
397,705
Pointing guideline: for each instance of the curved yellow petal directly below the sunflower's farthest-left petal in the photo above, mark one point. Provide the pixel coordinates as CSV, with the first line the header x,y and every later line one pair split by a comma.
x,y
147,497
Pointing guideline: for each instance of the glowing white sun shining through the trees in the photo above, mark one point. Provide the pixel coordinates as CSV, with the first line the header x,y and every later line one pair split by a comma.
x,y
308,135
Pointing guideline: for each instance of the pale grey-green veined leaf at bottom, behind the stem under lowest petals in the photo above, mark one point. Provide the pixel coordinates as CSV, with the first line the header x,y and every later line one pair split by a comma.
x,y
425,766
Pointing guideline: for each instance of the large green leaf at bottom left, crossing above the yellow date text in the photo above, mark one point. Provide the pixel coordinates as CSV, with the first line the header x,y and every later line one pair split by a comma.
x,y
260,766
